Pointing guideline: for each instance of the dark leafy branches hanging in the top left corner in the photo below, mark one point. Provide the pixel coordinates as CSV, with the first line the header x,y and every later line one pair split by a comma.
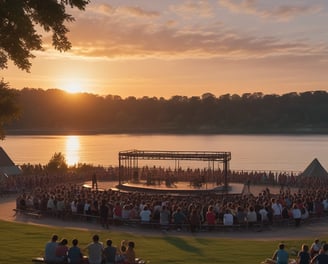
x,y
18,28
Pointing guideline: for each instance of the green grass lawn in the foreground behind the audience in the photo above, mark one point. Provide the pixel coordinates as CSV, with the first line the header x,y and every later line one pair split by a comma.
x,y
21,242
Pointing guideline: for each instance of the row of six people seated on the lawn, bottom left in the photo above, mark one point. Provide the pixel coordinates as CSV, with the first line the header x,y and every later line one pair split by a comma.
x,y
59,252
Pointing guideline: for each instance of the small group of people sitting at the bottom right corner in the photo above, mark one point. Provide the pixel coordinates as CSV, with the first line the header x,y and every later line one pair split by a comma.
x,y
317,253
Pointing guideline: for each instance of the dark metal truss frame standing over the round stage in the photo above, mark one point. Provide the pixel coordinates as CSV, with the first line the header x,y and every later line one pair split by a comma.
x,y
129,159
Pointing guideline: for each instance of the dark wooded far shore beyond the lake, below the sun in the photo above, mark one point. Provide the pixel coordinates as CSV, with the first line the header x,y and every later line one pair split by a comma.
x,y
55,111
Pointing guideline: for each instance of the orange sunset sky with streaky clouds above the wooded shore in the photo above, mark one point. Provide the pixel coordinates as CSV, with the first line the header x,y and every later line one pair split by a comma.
x,y
167,47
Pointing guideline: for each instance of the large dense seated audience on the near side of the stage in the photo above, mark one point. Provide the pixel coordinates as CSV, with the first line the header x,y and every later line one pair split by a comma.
x,y
112,206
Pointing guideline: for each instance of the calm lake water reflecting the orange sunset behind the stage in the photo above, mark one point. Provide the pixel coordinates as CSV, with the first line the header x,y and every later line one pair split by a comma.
x,y
249,152
